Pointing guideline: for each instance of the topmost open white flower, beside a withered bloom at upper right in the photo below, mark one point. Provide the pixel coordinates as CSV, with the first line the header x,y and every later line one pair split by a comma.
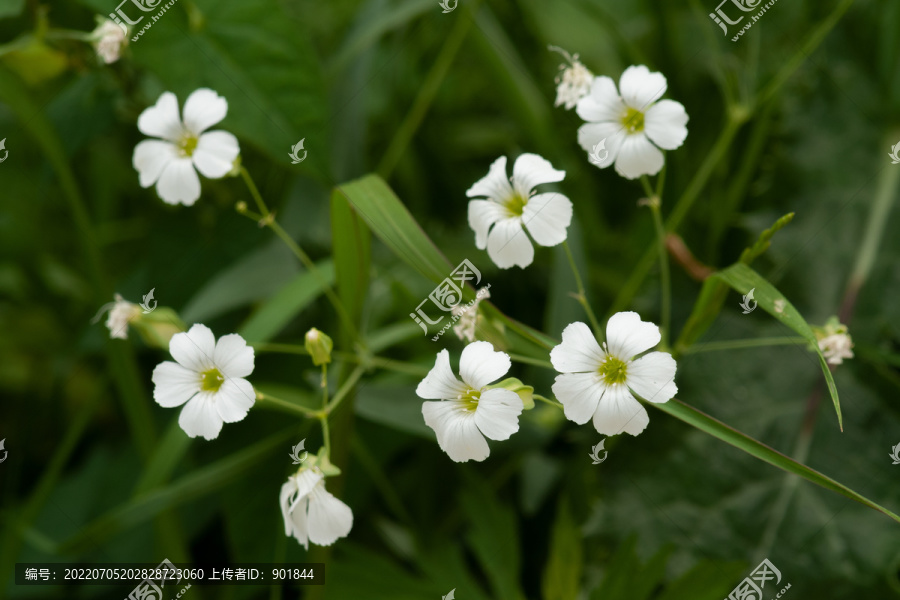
x,y
631,121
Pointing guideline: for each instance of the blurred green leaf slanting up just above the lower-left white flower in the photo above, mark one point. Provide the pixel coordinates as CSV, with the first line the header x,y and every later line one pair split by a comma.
x,y
287,303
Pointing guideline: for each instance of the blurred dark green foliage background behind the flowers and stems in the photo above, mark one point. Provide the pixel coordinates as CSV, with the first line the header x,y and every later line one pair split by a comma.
x,y
97,472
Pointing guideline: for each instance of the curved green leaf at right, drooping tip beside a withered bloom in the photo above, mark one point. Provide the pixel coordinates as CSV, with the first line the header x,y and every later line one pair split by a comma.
x,y
742,278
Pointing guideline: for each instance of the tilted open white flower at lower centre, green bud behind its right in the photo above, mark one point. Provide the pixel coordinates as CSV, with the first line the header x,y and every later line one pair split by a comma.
x,y
467,411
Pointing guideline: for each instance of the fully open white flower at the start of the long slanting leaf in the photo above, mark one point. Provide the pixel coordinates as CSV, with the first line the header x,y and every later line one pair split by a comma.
x,y
602,383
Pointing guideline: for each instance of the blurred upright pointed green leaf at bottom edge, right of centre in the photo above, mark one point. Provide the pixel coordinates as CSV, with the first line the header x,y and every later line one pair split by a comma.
x,y
562,575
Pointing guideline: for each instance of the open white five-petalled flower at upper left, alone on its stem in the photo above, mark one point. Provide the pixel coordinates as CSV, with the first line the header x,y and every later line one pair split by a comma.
x,y
170,162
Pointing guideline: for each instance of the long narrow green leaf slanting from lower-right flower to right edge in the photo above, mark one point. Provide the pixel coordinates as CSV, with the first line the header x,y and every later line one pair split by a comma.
x,y
717,429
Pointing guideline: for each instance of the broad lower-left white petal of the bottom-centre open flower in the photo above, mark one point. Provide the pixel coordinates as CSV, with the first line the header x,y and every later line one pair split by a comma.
x,y
456,431
